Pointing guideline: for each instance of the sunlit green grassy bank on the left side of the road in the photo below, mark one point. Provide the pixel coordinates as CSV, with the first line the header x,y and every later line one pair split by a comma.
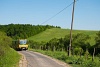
x,y
8,56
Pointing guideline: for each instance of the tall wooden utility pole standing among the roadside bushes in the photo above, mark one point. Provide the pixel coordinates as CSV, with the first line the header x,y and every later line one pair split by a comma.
x,y
70,45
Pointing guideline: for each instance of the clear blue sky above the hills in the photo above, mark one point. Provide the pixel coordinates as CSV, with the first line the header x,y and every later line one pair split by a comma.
x,y
87,13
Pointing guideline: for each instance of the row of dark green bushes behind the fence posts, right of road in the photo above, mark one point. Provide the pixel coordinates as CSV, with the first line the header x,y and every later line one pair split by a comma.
x,y
80,45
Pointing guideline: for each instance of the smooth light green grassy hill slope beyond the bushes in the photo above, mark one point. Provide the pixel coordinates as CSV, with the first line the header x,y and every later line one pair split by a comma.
x,y
60,33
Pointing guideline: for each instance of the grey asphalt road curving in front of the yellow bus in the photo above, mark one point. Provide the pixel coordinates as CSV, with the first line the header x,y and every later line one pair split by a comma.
x,y
38,60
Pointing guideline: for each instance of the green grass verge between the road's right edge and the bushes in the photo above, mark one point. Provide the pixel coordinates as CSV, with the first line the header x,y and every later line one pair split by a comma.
x,y
74,61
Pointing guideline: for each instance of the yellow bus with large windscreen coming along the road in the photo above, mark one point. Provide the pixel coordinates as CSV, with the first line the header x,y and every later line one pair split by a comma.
x,y
20,44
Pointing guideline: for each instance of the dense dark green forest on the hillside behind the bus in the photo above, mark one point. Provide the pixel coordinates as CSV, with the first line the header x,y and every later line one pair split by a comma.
x,y
17,31
